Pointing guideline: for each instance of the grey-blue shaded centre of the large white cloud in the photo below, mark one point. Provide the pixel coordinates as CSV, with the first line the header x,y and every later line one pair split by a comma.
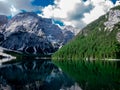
x,y
78,13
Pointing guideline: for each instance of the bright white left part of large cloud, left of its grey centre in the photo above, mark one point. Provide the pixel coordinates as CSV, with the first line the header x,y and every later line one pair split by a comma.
x,y
61,10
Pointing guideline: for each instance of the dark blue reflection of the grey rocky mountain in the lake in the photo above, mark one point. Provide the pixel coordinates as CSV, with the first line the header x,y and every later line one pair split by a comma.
x,y
33,75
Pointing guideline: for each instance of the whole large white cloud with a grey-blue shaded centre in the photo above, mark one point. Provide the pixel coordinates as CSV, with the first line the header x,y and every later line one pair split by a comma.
x,y
77,13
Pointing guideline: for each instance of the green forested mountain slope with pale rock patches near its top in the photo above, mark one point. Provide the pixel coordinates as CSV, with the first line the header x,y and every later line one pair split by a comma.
x,y
98,40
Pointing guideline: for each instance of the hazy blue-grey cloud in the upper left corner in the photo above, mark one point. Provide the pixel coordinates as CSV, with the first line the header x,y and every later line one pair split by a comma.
x,y
12,7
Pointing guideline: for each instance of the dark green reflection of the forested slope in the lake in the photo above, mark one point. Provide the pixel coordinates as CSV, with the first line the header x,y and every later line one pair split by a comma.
x,y
92,75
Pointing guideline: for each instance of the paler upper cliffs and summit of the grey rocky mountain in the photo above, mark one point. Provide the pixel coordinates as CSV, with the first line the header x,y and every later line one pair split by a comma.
x,y
30,22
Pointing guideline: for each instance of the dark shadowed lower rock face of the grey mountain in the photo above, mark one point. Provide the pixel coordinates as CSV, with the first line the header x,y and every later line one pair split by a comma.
x,y
29,43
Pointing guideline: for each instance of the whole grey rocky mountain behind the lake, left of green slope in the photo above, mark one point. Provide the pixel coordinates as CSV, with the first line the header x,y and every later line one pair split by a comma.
x,y
27,32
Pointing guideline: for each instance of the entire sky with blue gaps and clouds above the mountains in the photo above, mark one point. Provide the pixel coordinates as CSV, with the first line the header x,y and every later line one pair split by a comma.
x,y
77,13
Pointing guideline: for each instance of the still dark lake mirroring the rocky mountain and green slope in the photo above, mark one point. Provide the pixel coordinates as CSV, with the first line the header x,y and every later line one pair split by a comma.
x,y
42,73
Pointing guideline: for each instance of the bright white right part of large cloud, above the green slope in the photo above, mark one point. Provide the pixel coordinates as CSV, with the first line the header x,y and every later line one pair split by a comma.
x,y
101,7
